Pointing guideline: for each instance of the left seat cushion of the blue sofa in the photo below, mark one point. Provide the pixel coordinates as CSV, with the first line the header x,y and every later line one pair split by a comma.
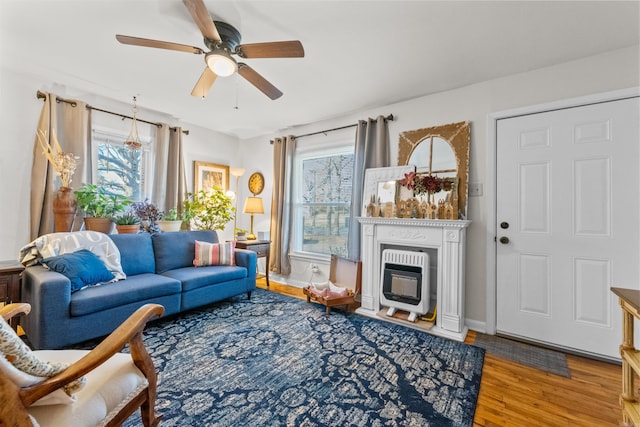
x,y
136,288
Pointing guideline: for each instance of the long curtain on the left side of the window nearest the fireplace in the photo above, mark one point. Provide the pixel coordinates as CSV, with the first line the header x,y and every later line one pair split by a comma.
x,y
281,209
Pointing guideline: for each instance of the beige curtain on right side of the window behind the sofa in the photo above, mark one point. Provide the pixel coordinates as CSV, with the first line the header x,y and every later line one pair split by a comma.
x,y
169,188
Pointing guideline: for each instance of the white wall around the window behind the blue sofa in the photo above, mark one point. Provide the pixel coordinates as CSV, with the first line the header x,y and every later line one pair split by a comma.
x,y
20,113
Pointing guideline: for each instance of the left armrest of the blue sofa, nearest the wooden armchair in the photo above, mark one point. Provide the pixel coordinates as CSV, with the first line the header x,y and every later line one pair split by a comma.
x,y
49,294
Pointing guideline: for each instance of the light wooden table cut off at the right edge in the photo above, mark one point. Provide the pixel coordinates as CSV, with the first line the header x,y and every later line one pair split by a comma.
x,y
630,303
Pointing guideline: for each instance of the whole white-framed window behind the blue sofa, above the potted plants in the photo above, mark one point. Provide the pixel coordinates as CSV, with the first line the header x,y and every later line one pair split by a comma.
x,y
119,169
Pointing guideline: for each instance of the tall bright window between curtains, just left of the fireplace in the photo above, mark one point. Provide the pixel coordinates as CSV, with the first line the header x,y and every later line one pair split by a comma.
x,y
322,189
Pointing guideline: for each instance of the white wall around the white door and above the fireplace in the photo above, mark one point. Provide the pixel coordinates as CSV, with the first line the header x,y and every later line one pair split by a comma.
x,y
610,71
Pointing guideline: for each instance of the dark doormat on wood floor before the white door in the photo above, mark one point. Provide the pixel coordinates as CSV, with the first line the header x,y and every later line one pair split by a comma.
x,y
544,359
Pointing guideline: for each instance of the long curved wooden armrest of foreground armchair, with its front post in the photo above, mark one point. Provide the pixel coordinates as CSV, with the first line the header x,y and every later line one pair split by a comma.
x,y
129,332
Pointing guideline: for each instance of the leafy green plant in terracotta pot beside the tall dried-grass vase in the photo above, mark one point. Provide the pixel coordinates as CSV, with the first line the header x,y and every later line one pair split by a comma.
x,y
99,206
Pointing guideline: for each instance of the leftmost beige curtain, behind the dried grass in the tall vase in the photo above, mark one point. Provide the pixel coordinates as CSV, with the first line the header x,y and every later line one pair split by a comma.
x,y
70,122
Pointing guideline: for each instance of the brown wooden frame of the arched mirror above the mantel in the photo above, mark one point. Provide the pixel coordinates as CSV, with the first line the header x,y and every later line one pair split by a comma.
x,y
458,135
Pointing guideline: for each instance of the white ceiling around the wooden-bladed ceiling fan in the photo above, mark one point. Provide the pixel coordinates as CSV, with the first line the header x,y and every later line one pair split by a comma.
x,y
358,54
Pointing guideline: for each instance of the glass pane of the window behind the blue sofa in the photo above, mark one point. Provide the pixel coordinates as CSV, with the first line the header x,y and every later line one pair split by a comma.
x,y
119,170
